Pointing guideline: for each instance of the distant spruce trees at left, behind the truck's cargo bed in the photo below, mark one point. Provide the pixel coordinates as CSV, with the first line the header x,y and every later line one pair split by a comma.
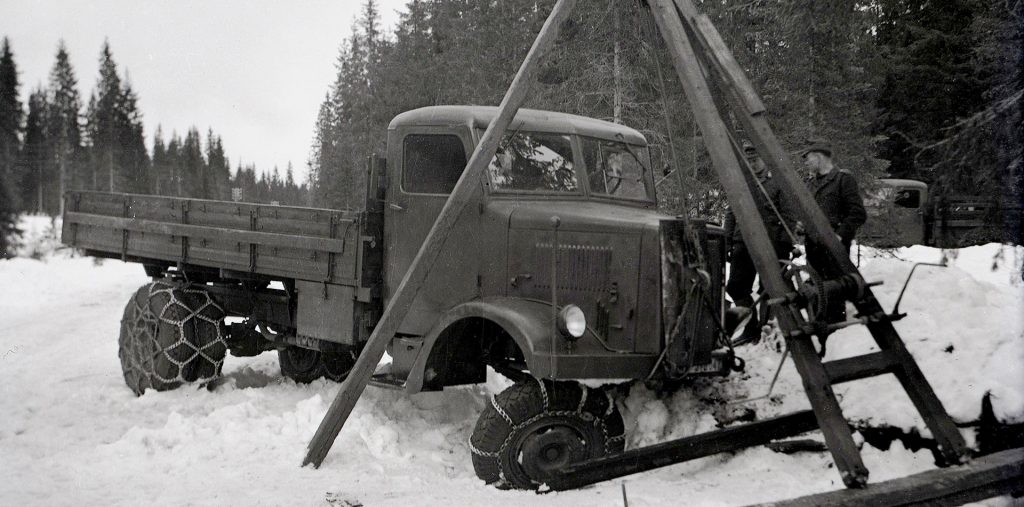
x,y
58,142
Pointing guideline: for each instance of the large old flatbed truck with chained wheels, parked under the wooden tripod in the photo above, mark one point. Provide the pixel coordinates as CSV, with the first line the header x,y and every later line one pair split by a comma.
x,y
563,271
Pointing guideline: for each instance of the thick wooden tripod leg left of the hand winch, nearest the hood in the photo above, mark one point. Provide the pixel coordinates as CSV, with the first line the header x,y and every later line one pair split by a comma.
x,y
834,427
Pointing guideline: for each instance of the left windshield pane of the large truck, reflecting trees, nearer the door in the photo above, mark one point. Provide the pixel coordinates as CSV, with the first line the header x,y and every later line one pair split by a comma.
x,y
534,162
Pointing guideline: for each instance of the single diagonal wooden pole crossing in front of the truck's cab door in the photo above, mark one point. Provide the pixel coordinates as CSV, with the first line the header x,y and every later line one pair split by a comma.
x,y
463,193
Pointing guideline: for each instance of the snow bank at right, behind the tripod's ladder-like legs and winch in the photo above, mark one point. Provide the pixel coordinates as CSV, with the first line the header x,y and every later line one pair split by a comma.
x,y
965,329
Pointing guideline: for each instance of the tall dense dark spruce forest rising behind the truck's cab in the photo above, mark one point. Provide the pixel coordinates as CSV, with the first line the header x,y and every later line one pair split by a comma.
x,y
923,90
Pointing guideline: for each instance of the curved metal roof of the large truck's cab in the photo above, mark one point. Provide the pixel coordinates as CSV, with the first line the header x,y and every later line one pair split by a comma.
x,y
528,120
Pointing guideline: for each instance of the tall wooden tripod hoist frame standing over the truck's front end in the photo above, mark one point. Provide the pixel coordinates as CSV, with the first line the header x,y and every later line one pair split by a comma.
x,y
697,51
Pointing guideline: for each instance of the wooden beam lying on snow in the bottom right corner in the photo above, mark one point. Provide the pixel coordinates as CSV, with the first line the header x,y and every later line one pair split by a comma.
x,y
993,476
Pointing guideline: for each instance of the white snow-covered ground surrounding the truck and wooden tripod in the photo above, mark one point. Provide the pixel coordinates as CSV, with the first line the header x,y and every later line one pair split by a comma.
x,y
72,434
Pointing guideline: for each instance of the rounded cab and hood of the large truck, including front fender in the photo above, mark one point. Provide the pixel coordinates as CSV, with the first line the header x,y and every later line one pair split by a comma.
x,y
566,199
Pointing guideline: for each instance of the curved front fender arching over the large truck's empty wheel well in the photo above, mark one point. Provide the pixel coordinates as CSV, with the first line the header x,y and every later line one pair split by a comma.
x,y
528,322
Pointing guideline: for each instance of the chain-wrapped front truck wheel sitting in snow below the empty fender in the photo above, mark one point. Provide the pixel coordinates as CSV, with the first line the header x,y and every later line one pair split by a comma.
x,y
538,427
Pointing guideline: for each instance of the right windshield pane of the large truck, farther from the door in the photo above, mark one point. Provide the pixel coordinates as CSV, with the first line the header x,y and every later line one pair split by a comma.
x,y
617,170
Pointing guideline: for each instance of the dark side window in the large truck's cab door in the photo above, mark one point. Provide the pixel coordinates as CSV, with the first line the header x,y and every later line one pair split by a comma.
x,y
434,163
